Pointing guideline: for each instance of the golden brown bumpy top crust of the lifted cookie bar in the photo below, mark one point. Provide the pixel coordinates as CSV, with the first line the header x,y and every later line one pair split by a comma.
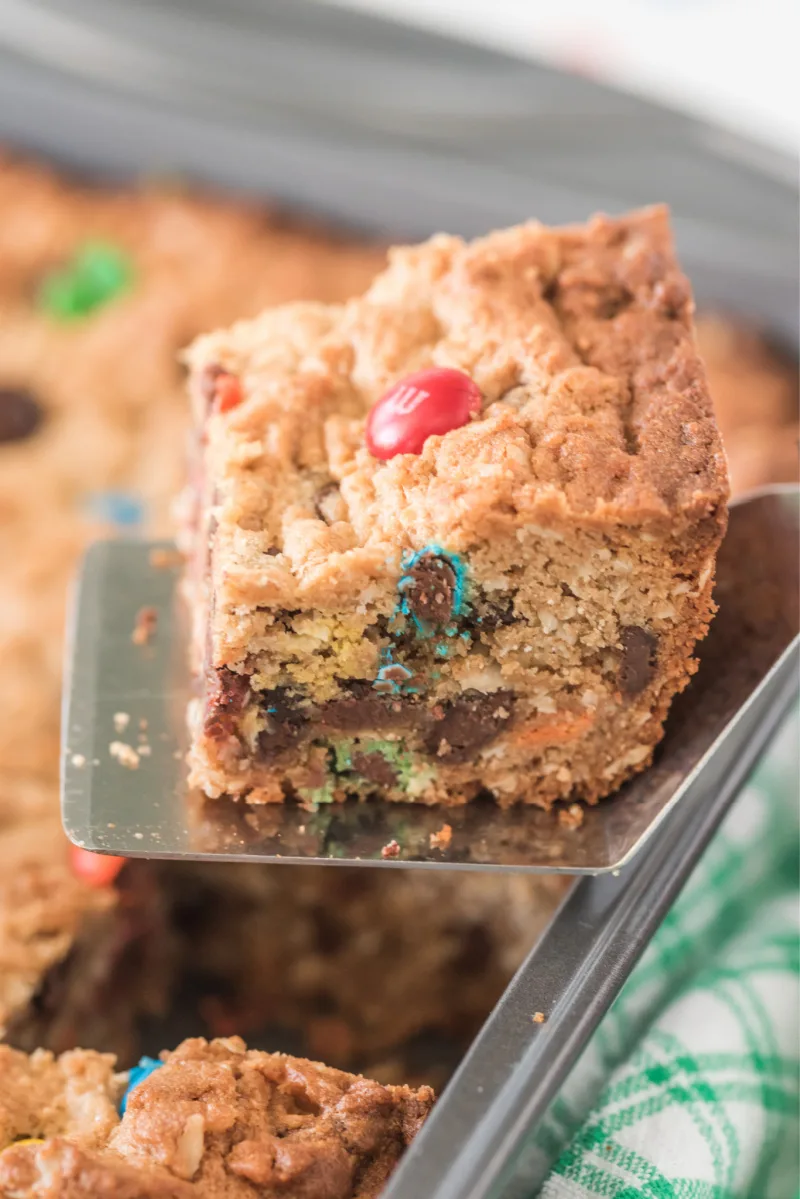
x,y
596,409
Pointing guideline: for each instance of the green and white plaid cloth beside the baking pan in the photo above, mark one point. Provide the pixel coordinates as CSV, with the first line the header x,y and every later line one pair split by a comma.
x,y
689,1090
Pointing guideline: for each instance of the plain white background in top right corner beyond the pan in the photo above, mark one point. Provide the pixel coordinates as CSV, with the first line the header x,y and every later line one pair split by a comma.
x,y
732,61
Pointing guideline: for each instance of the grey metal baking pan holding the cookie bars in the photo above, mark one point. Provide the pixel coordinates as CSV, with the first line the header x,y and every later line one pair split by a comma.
x,y
402,134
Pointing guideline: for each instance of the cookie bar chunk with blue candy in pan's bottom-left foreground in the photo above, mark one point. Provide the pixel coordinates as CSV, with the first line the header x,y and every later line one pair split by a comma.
x,y
212,1120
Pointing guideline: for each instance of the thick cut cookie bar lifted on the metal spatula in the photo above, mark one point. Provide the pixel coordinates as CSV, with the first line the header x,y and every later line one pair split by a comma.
x,y
512,610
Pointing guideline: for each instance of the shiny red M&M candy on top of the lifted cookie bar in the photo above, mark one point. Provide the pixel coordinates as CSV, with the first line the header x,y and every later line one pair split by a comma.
x,y
429,402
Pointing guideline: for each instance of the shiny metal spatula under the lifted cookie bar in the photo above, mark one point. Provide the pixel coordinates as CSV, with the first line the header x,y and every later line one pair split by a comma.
x,y
124,781
